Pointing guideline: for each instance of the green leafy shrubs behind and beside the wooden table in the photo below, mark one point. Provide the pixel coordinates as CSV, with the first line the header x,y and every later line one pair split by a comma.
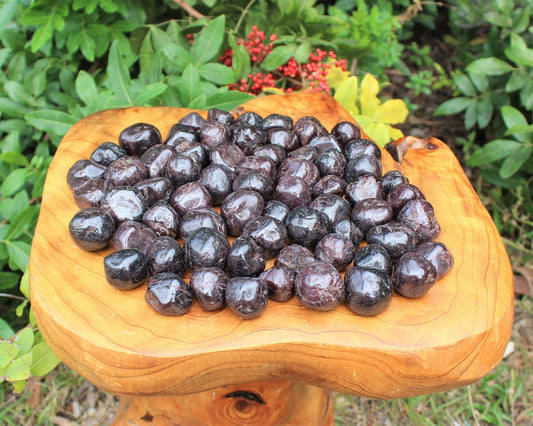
x,y
62,60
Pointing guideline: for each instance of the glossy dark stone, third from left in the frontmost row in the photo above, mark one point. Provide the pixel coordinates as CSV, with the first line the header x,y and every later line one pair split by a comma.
x,y
247,297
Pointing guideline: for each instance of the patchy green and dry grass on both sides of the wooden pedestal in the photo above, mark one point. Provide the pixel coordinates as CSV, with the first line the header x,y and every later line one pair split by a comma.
x,y
502,397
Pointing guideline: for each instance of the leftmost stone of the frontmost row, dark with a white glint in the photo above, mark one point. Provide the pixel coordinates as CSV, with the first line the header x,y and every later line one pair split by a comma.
x,y
168,294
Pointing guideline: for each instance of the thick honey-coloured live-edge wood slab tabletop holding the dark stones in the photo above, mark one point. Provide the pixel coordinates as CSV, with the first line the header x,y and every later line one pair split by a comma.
x,y
449,338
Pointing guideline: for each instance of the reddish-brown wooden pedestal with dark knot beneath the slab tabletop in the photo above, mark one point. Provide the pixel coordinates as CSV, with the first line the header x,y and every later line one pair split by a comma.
x,y
257,403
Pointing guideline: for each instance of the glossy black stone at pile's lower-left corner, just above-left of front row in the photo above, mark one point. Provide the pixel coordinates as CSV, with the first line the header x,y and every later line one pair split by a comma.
x,y
125,269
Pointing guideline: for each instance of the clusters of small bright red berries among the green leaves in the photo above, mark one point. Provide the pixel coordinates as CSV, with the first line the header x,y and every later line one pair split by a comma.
x,y
309,76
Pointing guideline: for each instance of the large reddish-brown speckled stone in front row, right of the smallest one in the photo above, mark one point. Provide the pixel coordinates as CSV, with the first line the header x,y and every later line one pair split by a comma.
x,y
319,286
